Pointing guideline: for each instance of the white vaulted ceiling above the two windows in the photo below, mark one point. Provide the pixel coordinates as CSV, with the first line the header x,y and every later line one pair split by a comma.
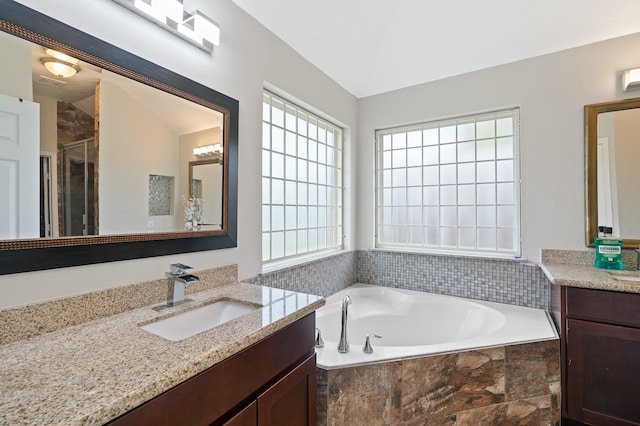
x,y
374,46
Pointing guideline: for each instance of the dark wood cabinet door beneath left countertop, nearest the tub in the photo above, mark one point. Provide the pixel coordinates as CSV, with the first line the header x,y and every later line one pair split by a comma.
x,y
292,400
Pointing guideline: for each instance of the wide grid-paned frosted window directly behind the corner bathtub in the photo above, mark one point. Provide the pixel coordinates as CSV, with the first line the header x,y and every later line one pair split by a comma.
x,y
450,186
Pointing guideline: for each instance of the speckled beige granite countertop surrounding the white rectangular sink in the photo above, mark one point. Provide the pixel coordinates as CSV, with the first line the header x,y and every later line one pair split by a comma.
x,y
95,371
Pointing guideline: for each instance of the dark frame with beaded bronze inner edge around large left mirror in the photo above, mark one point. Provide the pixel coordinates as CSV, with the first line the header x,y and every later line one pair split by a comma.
x,y
49,253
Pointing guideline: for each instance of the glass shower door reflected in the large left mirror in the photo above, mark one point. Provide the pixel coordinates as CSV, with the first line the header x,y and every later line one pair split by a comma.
x,y
78,180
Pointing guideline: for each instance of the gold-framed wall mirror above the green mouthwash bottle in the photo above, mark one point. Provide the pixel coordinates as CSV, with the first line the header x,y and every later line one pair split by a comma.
x,y
612,151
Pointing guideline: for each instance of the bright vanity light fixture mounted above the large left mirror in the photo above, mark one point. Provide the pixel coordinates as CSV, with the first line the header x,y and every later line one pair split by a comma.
x,y
195,27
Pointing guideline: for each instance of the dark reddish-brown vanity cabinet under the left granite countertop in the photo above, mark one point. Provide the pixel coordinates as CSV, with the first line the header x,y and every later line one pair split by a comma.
x,y
272,382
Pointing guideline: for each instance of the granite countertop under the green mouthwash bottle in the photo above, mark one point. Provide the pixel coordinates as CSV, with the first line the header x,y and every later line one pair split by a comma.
x,y
587,276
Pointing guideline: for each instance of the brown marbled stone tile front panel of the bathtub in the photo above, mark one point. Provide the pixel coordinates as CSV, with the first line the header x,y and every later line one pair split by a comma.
x,y
516,384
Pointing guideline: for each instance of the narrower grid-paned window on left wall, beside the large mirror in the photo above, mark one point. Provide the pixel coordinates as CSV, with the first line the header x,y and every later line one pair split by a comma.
x,y
301,182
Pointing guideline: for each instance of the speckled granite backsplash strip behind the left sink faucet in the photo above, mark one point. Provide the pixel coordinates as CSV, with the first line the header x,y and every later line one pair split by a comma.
x,y
32,320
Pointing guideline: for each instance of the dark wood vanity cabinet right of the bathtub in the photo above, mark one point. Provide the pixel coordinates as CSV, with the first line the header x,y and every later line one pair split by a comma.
x,y
600,347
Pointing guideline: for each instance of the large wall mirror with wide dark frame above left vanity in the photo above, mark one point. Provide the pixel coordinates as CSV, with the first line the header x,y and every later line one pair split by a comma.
x,y
107,163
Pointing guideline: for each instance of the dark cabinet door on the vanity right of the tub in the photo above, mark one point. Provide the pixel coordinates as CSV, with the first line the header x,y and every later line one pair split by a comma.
x,y
603,373
